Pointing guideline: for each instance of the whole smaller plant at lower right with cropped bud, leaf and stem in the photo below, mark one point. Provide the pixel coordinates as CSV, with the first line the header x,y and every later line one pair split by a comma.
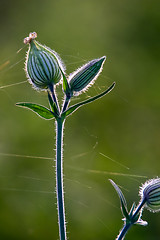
x,y
150,198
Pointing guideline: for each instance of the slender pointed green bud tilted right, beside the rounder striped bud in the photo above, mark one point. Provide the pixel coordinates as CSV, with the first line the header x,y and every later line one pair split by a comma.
x,y
84,77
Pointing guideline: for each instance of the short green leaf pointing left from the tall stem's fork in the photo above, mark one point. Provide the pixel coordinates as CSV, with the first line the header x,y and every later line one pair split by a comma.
x,y
38,109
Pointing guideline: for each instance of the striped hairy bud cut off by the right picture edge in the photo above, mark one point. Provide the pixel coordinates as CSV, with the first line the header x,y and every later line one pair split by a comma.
x,y
150,194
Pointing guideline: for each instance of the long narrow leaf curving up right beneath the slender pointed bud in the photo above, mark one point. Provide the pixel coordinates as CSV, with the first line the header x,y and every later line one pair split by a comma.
x,y
76,106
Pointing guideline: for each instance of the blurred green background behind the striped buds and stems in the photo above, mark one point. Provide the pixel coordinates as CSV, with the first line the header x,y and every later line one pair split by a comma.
x,y
124,125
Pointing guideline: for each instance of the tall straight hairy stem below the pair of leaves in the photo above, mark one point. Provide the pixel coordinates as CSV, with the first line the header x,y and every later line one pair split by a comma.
x,y
59,179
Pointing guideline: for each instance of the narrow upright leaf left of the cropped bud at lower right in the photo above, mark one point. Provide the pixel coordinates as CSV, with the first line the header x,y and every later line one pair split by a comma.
x,y
122,200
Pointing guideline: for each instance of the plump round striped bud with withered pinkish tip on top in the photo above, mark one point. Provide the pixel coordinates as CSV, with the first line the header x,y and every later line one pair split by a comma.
x,y
43,66
